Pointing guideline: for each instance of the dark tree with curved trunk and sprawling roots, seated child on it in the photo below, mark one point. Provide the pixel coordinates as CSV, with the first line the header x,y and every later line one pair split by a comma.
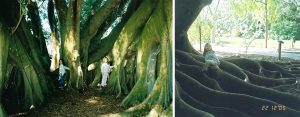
x,y
272,89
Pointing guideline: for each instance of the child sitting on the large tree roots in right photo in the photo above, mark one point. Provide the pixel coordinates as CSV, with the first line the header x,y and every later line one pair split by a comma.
x,y
210,57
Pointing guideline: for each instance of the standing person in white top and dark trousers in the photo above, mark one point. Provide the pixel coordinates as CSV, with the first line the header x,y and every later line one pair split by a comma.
x,y
62,72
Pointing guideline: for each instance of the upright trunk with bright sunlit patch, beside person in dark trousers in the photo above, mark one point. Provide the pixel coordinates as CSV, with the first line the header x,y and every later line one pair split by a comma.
x,y
71,43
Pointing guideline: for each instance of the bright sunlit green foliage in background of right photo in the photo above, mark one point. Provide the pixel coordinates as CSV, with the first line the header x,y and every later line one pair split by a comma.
x,y
246,19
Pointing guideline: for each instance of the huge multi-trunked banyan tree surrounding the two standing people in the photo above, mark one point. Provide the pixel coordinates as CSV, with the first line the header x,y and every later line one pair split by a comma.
x,y
136,36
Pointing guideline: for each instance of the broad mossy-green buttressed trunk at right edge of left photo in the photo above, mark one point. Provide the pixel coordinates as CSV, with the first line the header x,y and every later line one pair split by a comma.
x,y
159,97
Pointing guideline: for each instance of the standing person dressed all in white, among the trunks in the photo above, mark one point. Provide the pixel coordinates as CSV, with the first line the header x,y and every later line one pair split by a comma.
x,y
105,69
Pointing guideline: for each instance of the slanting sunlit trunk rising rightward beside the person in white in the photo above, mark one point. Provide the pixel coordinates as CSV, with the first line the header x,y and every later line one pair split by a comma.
x,y
128,34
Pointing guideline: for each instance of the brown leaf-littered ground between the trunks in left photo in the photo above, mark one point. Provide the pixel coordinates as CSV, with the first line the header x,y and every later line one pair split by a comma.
x,y
72,104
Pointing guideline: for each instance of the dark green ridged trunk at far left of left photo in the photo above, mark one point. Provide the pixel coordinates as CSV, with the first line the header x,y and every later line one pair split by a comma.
x,y
26,59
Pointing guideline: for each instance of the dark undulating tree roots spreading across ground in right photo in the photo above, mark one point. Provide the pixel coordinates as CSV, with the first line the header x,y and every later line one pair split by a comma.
x,y
222,91
